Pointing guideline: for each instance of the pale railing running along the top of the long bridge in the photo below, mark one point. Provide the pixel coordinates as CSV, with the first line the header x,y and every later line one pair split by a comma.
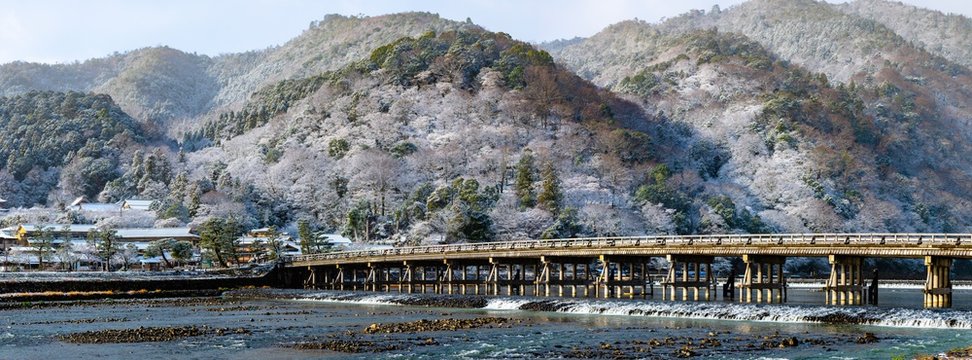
x,y
831,239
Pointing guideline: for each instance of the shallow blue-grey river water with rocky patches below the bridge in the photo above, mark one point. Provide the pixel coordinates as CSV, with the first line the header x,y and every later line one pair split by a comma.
x,y
568,328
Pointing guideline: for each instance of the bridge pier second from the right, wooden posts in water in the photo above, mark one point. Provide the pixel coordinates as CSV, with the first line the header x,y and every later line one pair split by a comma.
x,y
846,283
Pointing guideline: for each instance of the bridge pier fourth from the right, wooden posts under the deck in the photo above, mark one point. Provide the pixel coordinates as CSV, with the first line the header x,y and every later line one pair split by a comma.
x,y
690,267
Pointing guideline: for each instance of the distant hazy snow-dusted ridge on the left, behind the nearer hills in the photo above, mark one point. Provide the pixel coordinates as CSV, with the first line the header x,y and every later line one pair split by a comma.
x,y
168,88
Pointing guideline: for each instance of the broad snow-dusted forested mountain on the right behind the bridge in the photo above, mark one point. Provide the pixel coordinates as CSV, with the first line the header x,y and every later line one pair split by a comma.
x,y
813,143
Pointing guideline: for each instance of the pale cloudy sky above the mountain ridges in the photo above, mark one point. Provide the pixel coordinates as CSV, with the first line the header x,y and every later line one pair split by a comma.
x,y
57,31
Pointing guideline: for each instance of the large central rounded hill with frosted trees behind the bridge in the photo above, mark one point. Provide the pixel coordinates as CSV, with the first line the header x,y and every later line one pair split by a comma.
x,y
452,136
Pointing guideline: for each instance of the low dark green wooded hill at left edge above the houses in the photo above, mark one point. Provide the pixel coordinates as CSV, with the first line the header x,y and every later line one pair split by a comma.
x,y
61,143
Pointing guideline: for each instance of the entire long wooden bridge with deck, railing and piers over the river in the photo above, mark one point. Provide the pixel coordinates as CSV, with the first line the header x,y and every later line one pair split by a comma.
x,y
621,266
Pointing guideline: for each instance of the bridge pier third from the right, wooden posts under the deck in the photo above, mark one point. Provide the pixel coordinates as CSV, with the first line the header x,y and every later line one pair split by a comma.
x,y
763,274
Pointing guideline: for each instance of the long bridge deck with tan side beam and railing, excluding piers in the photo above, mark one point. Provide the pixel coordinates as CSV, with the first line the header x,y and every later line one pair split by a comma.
x,y
792,245
